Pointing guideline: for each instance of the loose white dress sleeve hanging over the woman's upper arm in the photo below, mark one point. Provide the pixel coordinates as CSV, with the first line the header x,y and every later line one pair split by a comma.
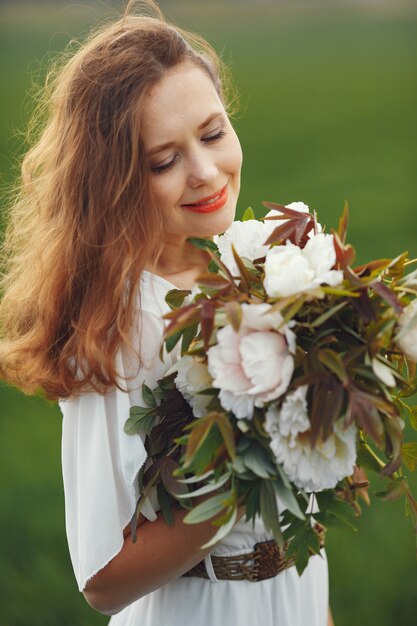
x,y
101,462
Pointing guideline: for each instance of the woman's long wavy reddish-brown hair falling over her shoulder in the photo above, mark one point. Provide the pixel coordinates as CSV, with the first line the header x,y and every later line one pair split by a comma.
x,y
83,224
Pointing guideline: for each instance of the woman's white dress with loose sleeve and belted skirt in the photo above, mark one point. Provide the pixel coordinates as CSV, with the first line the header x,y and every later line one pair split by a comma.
x,y
100,467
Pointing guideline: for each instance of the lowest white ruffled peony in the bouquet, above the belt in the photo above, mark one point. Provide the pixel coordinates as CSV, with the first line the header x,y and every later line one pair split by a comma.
x,y
311,469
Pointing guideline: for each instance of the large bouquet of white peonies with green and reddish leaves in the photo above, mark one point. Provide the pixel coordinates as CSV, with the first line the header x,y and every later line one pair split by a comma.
x,y
292,376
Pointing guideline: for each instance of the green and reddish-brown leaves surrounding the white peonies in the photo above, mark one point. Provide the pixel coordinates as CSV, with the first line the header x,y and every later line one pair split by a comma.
x,y
347,356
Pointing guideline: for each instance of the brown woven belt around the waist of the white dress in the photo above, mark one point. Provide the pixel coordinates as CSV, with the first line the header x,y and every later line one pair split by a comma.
x,y
265,561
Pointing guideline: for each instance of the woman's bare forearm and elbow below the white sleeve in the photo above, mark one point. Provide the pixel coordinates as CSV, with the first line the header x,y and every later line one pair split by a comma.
x,y
160,554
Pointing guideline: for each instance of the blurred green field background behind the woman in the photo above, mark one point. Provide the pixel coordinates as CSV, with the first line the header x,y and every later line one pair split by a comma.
x,y
328,112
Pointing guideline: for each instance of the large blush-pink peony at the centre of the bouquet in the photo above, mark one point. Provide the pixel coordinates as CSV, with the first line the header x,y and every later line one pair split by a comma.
x,y
254,365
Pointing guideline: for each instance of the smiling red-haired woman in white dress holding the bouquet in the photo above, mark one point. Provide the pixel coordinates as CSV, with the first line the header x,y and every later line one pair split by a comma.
x,y
138,155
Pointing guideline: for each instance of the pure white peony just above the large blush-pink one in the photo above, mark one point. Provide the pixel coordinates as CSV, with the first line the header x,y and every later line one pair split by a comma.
x,y
290,269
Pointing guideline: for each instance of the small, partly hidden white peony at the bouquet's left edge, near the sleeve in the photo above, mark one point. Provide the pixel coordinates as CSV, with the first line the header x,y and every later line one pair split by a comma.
x,y
192,378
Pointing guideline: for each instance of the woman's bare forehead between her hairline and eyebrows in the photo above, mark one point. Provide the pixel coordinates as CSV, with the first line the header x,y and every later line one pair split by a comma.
x,y
181,100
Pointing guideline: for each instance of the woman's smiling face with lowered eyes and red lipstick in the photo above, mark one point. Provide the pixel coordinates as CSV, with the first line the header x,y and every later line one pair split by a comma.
x,y
194,154
